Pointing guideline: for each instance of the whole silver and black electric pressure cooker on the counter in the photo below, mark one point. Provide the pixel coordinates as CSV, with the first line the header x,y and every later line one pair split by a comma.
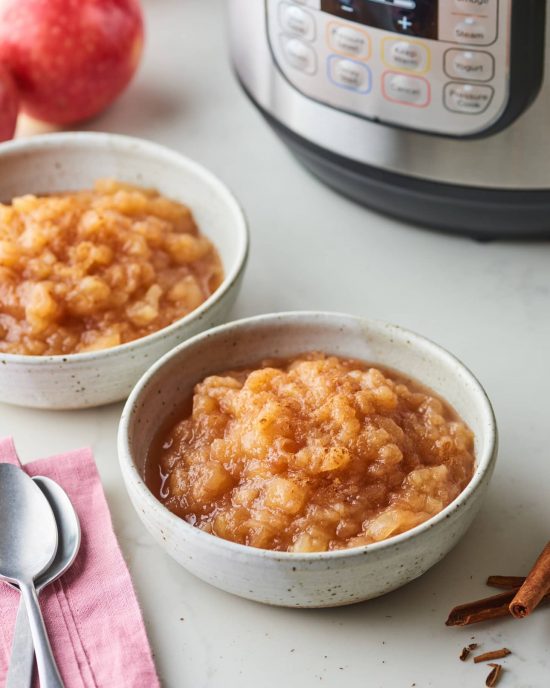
x,y
434,111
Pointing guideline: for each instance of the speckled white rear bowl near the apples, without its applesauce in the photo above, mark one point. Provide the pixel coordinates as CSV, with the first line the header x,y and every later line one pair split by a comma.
x,y
72,161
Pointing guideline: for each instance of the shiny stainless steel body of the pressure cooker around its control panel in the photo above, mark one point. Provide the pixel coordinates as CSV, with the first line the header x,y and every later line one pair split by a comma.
x,y
515,158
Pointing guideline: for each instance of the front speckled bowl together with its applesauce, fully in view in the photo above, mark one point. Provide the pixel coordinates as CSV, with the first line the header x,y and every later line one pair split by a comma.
x,y
307,459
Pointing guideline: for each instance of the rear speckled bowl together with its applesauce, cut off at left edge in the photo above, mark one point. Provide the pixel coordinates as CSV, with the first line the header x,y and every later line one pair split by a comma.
x,y
112,251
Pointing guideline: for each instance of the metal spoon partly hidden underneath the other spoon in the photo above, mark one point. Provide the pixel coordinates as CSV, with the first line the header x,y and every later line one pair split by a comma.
x,y
68,528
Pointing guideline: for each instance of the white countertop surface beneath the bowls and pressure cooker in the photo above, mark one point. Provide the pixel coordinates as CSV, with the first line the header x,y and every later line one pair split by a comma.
x,y
311,249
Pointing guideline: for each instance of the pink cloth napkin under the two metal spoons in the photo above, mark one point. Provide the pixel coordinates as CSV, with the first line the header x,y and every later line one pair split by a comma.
x,y
92,614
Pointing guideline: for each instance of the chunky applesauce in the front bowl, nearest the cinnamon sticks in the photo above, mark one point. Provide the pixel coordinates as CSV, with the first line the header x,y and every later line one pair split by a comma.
x,y
311,454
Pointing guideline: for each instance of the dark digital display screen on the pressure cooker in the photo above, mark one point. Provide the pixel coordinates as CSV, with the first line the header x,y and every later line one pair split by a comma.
x,y
408,17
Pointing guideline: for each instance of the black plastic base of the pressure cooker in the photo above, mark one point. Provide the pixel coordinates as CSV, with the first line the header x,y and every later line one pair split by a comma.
x,y
479,213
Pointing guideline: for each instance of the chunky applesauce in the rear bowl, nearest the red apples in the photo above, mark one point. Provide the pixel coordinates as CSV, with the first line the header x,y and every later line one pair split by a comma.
x,y
96,268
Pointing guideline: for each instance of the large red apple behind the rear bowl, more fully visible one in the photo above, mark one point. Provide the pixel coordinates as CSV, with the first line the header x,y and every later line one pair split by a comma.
x,y
70,58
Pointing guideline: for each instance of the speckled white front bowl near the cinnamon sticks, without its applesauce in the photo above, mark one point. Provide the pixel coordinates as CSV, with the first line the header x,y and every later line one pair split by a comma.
x,y
289,579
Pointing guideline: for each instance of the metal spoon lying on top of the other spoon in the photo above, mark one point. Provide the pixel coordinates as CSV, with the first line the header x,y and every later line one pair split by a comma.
x,y
28,543
